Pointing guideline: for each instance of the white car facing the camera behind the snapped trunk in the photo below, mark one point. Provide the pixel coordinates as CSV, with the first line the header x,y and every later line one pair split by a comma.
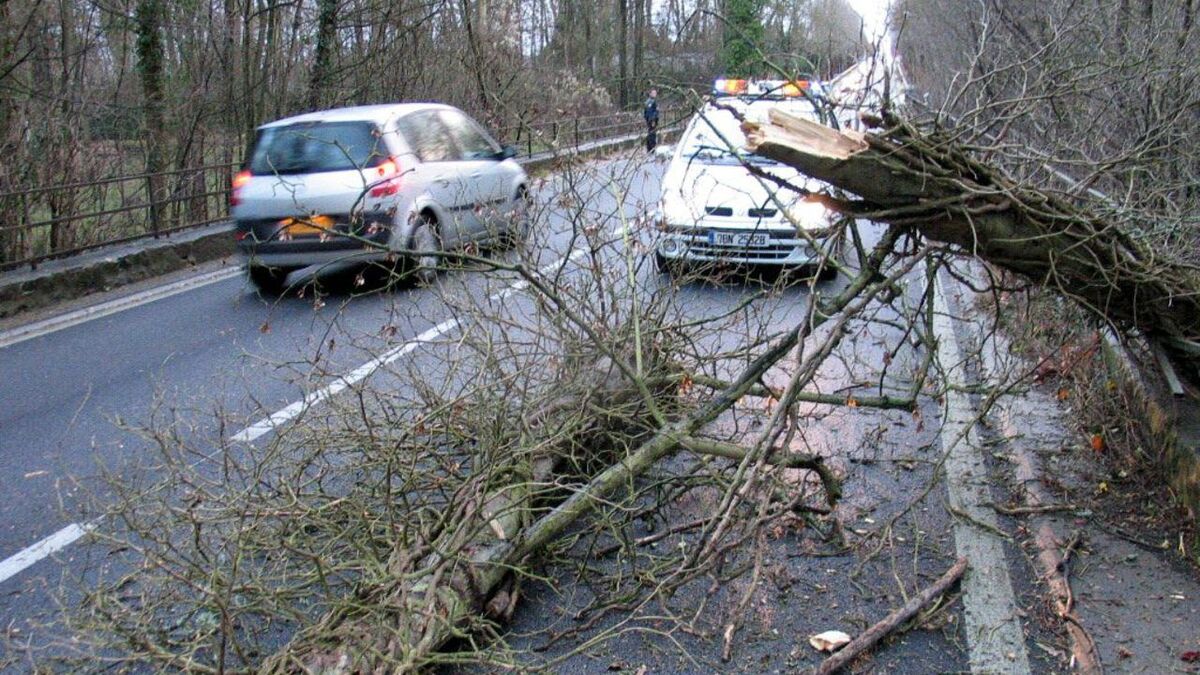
x,y
715,210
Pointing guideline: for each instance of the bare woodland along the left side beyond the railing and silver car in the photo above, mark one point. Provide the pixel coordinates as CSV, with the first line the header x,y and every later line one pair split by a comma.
x,y
169,94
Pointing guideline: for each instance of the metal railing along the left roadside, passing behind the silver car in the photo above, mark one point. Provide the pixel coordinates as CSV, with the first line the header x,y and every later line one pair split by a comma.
x,y
53,222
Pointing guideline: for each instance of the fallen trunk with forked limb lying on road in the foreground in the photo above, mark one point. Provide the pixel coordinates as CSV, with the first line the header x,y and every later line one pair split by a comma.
x,y
423,604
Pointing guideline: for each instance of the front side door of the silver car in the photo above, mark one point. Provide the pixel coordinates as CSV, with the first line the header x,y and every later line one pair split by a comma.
x,y
482,172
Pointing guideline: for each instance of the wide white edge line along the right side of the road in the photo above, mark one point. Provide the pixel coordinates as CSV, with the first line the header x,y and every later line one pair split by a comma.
x,y
995,637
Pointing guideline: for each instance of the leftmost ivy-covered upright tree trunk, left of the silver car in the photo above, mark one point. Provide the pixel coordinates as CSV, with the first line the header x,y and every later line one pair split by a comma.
x,y
151,58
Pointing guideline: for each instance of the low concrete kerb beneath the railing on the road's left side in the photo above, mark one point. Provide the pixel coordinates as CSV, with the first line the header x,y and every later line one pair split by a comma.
x,y
68,279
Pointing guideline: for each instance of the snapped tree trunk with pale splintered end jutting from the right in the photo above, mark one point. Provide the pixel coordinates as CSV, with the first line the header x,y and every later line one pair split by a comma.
x,y
927,183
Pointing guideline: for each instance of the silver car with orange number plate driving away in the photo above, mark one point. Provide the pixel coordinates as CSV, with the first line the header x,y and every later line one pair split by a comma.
x,y
397,183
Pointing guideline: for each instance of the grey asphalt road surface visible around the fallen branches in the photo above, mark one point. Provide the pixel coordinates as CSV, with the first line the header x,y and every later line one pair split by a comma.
x,y
215,361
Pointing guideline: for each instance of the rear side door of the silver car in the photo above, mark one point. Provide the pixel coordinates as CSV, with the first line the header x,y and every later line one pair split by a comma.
x,y
441,172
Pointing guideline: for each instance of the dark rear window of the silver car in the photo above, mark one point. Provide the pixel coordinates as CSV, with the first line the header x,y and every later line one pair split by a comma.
x,y
317,147
